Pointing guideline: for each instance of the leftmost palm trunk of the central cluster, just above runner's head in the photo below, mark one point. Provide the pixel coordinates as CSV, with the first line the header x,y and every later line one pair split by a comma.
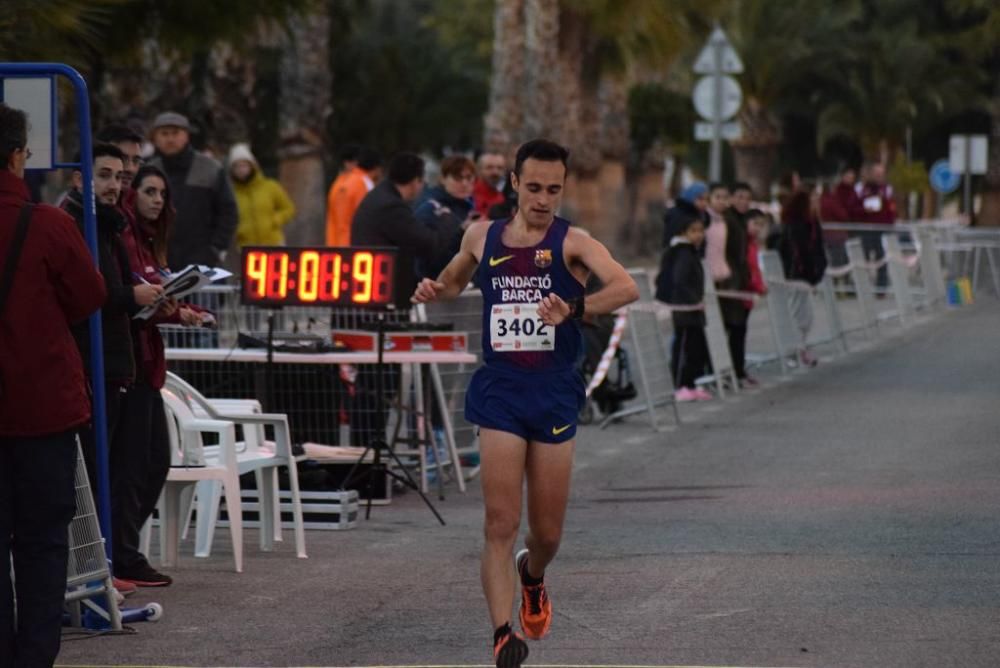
x,y
502,124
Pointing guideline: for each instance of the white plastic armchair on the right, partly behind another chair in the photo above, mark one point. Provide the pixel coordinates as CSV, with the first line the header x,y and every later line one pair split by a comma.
x,y
254,454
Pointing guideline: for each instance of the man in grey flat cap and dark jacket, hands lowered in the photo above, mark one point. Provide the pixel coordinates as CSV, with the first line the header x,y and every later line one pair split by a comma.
x,y
206,209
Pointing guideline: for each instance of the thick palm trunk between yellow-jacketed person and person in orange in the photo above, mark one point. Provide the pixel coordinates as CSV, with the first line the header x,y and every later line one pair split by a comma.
x,y
305,104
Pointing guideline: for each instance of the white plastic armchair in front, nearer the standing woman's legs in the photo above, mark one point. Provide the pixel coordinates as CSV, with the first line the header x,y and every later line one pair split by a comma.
x,y
185,431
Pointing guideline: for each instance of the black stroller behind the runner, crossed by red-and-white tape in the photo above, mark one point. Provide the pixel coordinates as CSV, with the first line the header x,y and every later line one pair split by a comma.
x,y
617,387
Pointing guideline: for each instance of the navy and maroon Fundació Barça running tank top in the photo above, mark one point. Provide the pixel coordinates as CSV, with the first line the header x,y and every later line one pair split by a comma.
x,y
523,276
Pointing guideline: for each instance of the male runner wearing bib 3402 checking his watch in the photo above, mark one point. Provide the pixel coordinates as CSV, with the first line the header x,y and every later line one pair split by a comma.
x,y
532,271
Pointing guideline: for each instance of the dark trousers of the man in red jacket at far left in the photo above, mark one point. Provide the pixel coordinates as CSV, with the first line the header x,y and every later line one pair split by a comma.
x,y
37,504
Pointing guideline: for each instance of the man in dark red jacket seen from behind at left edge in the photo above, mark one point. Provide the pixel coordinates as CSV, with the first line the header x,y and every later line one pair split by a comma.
x,y
43,403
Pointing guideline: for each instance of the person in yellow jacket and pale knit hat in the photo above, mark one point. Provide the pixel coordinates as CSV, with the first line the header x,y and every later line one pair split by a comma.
x,y
265,207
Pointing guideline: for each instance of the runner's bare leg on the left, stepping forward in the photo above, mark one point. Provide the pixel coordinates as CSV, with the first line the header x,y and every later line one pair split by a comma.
x,y
502,457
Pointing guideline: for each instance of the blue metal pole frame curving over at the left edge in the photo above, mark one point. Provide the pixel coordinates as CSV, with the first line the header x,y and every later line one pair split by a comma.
x,y
86,168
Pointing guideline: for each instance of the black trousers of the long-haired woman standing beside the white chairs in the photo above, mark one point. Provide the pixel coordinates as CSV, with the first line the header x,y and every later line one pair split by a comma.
x,y
140,461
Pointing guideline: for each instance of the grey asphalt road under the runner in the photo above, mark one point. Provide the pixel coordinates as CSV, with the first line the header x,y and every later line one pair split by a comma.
x,y
846,516
